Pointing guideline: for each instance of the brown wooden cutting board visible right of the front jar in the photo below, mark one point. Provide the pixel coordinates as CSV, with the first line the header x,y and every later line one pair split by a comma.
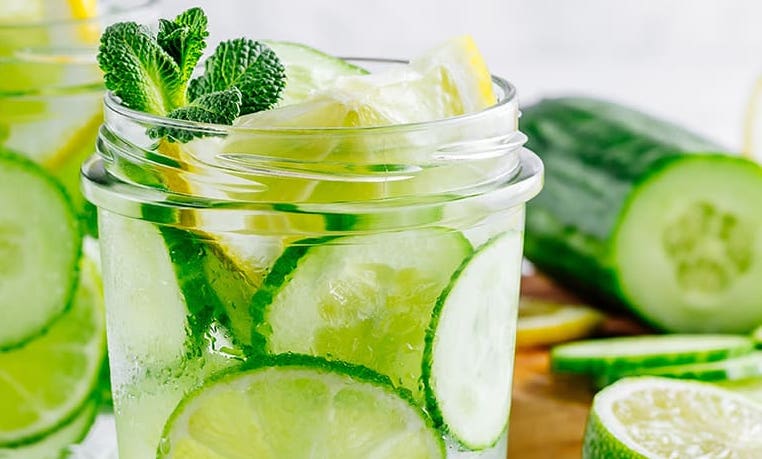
x,y
549,411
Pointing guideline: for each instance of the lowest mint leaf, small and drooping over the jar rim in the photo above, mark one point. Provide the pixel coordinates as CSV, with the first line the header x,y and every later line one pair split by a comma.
x,y
221,107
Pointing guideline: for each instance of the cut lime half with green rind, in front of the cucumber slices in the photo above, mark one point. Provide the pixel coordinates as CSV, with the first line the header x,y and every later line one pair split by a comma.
x,y
666,418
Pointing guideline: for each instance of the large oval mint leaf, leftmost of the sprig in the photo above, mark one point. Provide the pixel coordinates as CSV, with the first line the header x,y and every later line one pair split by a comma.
x,y
138,71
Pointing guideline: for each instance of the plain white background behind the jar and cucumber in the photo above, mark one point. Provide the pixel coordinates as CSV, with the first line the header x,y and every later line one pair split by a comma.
x,y
691,61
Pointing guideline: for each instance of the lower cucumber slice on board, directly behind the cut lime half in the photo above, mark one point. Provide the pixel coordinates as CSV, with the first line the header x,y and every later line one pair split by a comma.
x,y
745,366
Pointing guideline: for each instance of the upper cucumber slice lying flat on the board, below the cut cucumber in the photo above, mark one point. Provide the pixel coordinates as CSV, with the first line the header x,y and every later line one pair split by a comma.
x,y
618,355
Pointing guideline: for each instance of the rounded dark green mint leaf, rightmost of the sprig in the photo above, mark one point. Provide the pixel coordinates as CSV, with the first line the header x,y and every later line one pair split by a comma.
x,y
250,66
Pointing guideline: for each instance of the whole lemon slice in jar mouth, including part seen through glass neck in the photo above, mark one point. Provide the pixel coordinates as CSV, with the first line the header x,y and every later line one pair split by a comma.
x,y
449,80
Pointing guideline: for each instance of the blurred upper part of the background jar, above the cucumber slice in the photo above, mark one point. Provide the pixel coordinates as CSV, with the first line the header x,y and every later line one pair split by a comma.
x,y
51,89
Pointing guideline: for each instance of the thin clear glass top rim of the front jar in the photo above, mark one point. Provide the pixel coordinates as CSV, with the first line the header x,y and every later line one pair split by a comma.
x,y
506,101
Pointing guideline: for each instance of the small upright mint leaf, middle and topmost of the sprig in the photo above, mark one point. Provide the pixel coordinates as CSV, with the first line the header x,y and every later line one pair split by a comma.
x,y
184,39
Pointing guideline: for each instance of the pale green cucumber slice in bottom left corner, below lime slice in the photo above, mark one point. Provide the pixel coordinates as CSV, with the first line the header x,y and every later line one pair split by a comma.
x,y
55,444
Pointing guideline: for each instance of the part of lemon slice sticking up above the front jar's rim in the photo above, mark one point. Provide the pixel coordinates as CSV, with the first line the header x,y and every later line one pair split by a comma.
x,y
447,81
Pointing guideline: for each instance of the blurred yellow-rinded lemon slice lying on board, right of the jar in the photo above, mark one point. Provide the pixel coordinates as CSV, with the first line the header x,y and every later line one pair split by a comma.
x,y
546,322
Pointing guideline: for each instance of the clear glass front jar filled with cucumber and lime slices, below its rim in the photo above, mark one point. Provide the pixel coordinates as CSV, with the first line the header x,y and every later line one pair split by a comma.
x,y
325,291
